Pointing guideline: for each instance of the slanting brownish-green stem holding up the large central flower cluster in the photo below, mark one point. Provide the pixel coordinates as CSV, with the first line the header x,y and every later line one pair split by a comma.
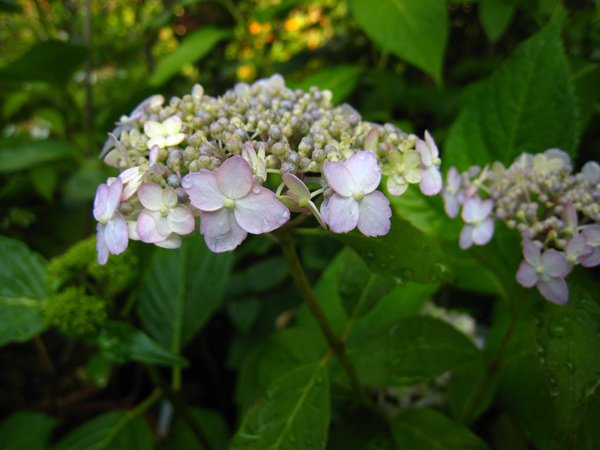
x,y
335,344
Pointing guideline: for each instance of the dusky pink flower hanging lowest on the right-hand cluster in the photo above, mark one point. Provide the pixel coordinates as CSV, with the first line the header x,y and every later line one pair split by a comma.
x,y
545,271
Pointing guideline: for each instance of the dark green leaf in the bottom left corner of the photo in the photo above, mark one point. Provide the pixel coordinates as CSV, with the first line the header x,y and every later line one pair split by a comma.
x,y
16,431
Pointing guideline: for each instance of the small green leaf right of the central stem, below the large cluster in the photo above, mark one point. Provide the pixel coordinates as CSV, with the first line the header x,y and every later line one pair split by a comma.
x,y
358,287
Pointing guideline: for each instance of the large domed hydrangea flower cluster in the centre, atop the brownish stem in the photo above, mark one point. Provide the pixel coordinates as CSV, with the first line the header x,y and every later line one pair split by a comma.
x,y
212,156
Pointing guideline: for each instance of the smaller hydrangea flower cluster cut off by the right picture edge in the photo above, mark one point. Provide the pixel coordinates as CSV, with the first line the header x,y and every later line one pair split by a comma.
x,y
555,210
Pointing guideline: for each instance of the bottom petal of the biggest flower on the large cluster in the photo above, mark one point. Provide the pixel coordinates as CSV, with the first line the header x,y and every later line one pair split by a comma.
x,y
221,231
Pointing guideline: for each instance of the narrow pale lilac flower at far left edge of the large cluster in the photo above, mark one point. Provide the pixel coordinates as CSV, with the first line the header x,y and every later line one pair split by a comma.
x,y
112,235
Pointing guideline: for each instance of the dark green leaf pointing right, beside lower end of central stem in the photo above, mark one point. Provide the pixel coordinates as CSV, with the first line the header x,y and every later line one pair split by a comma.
x,y
412,350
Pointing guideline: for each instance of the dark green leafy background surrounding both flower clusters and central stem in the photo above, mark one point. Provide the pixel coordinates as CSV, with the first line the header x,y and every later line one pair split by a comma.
x,y
188,349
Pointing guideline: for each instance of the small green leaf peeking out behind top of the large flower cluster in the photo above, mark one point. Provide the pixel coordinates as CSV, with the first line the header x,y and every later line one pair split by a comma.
x,y
340,80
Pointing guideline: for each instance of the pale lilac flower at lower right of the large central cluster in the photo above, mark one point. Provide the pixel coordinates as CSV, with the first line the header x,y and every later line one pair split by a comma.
x,y
356,202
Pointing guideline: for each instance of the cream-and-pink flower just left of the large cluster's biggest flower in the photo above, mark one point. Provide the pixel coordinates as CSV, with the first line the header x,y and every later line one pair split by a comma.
x,y
163,215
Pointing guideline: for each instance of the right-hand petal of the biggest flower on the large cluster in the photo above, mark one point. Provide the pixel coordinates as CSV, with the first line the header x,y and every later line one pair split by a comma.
x,y
260,212
